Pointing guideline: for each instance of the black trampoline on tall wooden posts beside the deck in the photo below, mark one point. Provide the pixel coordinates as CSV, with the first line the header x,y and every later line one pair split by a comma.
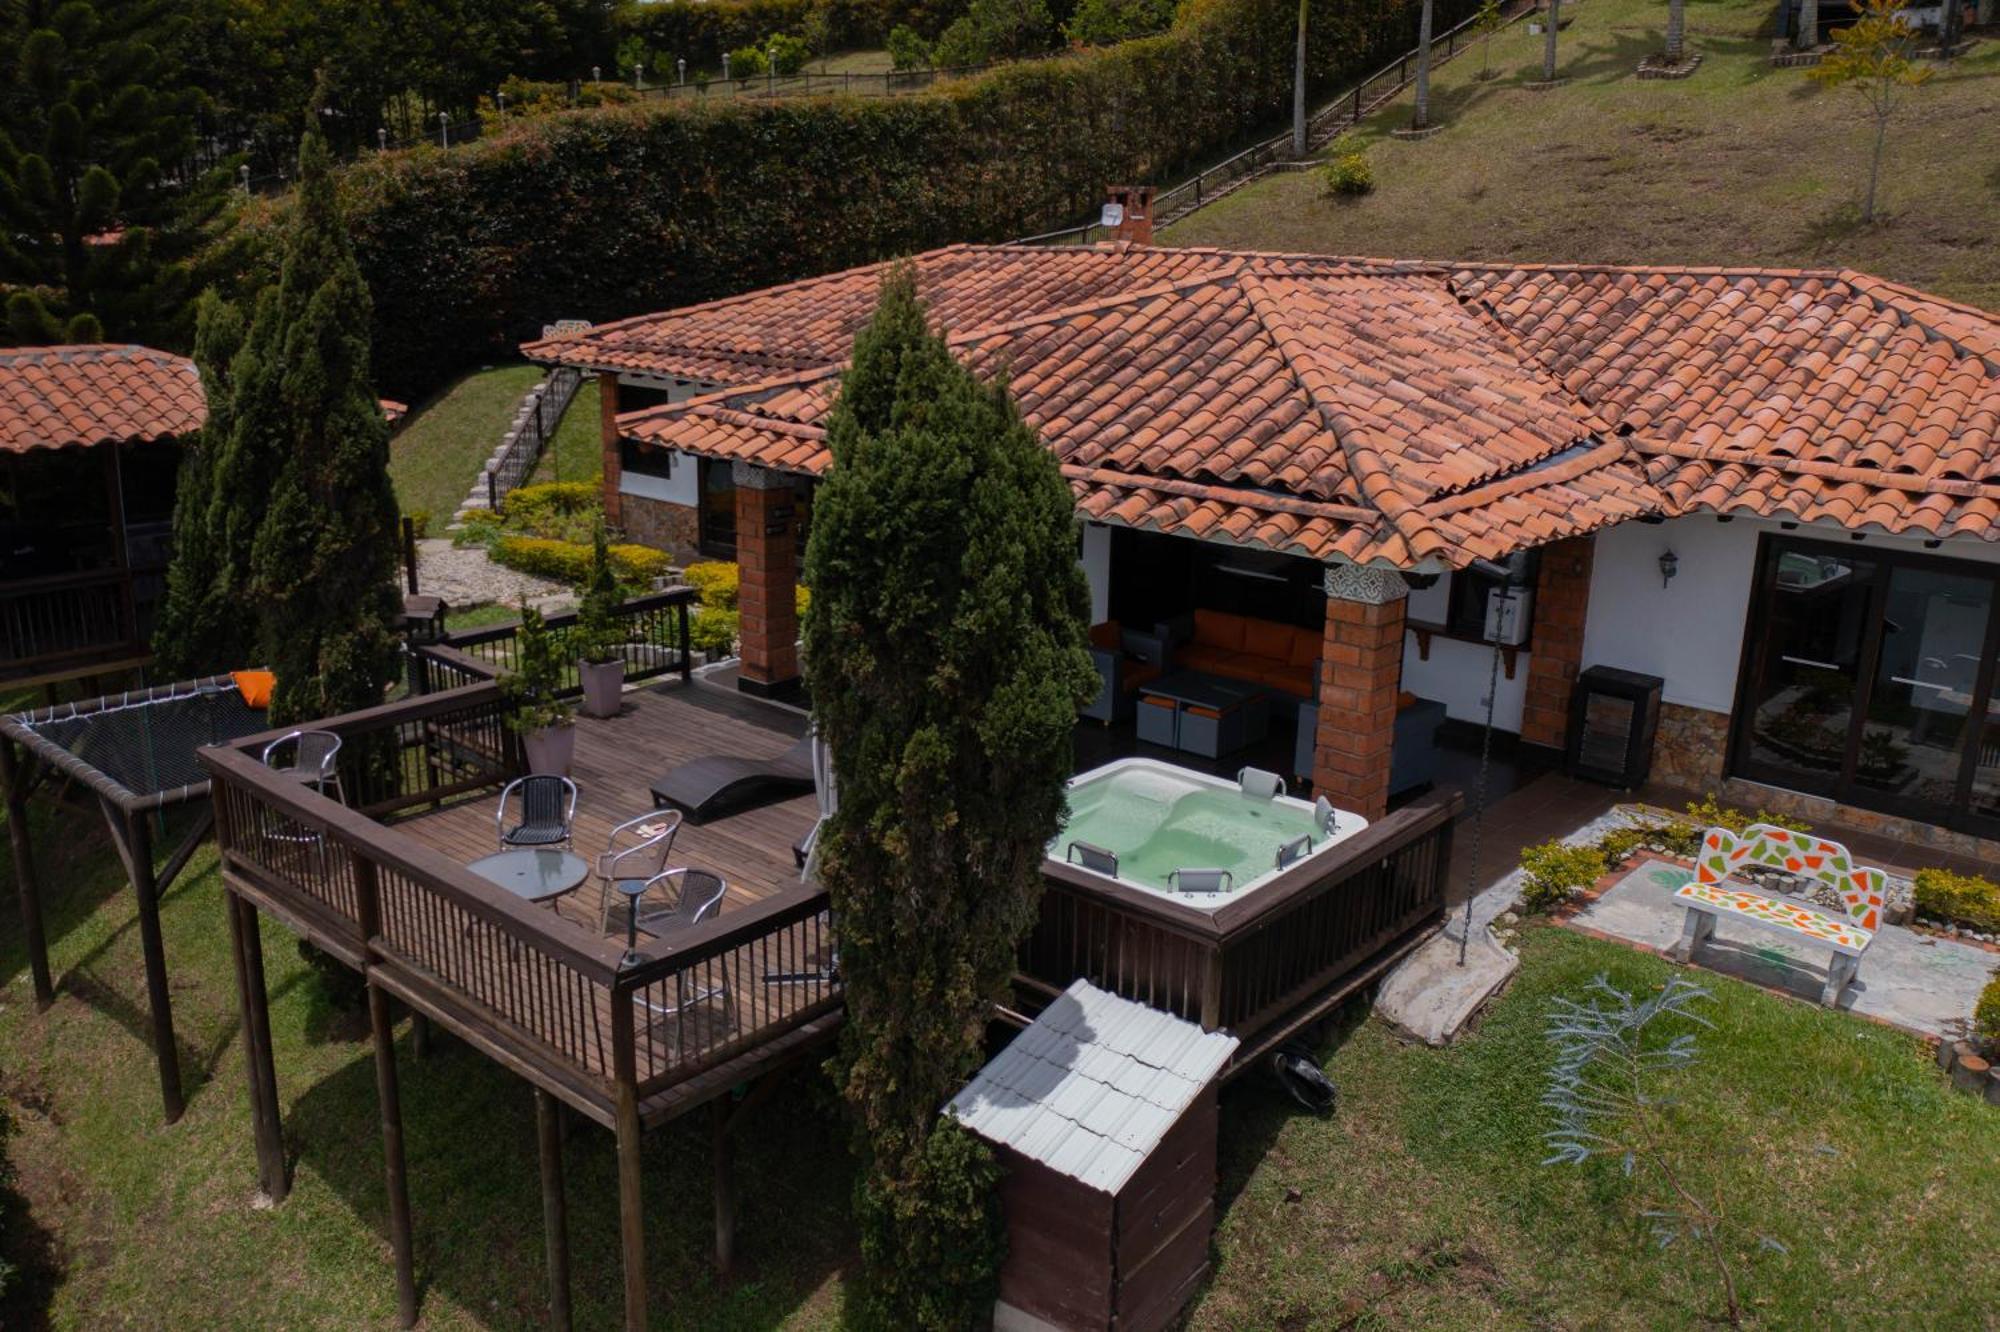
x,y
135,753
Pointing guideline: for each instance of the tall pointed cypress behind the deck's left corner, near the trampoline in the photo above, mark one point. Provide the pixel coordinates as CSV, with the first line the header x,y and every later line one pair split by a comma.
x,y
323,559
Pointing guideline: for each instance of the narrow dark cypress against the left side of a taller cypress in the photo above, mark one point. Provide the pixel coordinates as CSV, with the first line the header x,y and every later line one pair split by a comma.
x,y
201,633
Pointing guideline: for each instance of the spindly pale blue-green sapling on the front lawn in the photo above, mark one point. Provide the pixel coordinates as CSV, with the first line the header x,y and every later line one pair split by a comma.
x,y
1609,1091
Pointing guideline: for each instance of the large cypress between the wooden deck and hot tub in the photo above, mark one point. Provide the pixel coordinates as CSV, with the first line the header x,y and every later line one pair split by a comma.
x,y
945,653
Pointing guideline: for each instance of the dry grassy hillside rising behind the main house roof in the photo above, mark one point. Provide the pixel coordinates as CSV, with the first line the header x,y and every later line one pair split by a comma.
x,y
1739,165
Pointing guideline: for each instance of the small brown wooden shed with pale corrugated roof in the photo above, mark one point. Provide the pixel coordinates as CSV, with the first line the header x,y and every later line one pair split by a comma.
x,y
1105,1119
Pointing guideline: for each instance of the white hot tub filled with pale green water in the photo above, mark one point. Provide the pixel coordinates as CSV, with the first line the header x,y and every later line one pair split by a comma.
x,y
1159,819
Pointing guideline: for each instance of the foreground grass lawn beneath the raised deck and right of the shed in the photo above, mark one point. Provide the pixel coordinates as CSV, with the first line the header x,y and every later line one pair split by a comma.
x,y
1417,1205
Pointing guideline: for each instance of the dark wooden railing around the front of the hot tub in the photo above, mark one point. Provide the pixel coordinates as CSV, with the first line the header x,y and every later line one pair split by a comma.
x,y
1253,961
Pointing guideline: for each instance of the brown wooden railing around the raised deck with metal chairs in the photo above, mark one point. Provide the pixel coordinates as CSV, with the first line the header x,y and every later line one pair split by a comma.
x,y
539,993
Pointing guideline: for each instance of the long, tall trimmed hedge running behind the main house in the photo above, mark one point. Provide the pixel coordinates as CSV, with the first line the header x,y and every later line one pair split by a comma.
x,y
619,211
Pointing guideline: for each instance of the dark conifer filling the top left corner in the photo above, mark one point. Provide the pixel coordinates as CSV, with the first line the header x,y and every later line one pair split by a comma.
x,y
103,207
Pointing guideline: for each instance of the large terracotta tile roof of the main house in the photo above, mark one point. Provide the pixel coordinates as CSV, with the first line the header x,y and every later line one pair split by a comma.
x,y
1395,413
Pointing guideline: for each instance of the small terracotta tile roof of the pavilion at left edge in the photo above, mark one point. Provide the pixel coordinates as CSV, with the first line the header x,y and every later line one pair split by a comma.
x,y
67,397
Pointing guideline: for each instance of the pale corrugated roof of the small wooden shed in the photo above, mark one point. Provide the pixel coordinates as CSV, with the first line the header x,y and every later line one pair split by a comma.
x,y
1093,1085
